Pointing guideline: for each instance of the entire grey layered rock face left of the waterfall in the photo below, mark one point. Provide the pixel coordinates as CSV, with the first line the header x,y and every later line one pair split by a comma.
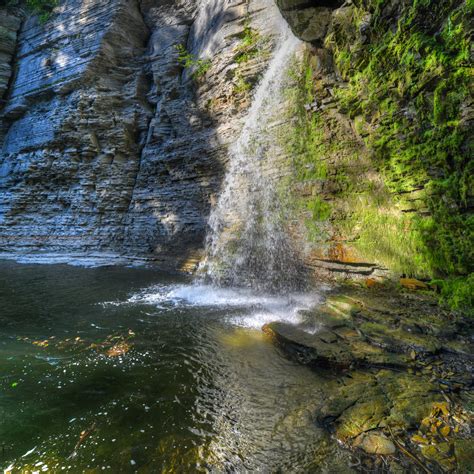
x,y
111,145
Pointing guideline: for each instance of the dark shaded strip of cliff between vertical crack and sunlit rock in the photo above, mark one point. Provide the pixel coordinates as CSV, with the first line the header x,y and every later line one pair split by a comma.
x,y
181,164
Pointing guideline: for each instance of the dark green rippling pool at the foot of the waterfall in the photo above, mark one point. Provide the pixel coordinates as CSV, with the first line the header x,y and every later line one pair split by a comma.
x,y
159,384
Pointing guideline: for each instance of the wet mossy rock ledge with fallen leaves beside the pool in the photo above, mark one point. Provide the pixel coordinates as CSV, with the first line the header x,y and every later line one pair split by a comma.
x,y
400,377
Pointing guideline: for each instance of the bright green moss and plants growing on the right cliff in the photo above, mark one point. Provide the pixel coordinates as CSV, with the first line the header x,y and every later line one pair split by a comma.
x,y
408,80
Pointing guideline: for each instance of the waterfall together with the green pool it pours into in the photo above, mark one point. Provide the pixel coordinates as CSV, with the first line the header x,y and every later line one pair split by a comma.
x,y
129,370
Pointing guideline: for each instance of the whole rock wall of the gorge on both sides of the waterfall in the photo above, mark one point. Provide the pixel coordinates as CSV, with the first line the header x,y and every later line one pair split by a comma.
x,y
117,117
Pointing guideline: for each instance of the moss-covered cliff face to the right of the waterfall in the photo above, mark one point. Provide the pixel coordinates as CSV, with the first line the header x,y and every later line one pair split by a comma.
x,y
382,141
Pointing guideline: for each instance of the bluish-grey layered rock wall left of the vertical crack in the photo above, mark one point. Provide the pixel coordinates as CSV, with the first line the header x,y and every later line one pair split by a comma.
x,y
75,115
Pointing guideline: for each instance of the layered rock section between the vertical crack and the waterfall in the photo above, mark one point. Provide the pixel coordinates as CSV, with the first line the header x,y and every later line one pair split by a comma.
x,y
196,116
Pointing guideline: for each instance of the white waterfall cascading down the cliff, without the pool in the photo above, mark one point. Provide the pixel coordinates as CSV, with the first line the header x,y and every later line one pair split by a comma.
x,y
248,242
